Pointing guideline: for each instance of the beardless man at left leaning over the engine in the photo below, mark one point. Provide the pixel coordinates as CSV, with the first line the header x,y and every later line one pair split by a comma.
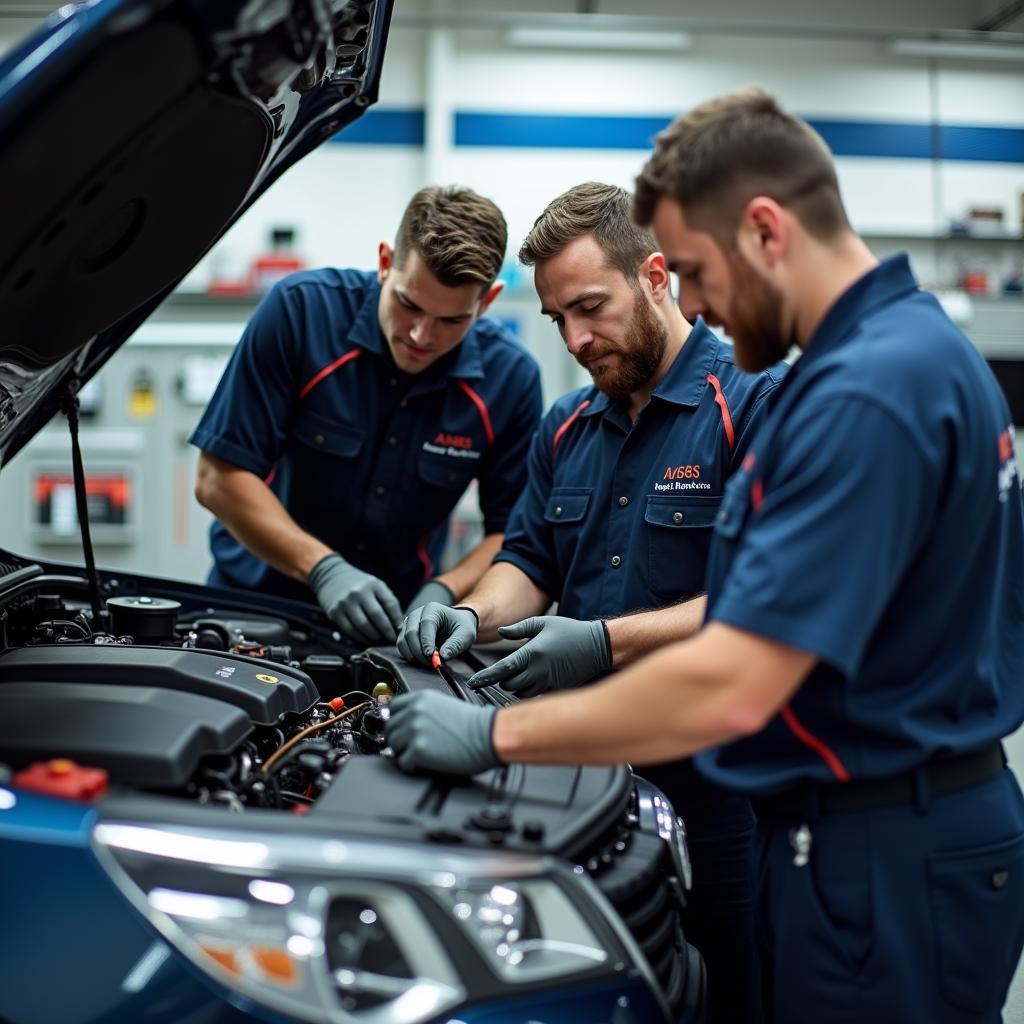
x,y
355,412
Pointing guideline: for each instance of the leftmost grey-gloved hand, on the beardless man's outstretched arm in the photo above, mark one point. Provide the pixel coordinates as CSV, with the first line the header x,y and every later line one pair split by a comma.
x,y
360,605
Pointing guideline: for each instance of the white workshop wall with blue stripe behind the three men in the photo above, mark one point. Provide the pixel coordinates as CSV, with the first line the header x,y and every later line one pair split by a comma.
x,y
878,112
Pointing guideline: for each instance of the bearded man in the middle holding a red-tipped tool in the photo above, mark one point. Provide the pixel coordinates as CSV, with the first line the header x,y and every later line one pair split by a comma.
x,y
625,480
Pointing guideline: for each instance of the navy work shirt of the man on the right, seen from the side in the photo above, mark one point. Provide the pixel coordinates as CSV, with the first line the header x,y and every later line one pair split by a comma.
x,y
877,524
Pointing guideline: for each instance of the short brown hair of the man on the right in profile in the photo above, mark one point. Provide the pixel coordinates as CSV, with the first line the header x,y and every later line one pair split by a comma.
x,y
714,160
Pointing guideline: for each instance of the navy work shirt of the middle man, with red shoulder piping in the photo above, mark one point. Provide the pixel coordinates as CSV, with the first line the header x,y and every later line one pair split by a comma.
x,y
618,517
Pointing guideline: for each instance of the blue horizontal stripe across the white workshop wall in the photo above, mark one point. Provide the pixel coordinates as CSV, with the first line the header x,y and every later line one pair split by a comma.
x,y
560,132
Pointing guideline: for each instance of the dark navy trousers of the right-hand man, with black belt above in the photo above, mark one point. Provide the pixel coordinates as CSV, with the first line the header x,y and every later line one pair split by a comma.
x,y
910,915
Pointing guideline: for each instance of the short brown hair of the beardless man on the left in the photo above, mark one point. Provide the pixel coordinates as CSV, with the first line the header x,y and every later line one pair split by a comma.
x,y
460,236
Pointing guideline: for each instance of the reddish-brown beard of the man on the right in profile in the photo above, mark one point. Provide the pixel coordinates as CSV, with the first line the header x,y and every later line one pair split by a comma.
x,y
759,337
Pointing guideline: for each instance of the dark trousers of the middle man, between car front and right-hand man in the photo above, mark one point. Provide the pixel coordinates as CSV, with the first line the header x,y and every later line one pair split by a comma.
x,y
719,918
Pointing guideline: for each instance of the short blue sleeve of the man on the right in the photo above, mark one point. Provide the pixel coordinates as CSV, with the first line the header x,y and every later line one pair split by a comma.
x,y
831,530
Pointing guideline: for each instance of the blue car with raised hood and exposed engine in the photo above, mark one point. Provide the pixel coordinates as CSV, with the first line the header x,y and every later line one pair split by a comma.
x,y
200,820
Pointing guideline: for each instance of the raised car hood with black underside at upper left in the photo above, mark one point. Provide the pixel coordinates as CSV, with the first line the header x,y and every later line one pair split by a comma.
x,y
133,135
